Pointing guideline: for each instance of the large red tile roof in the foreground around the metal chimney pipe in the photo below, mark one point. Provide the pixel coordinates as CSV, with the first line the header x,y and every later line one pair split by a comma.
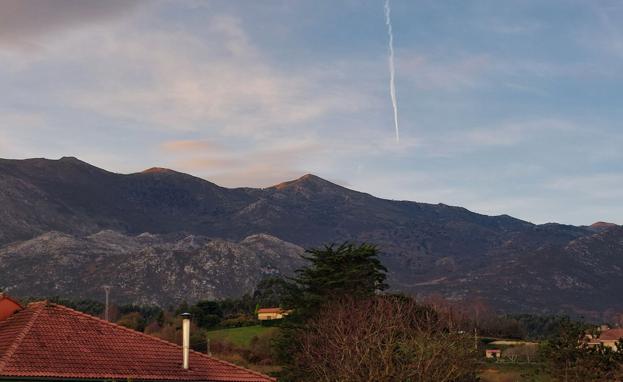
x,y
48,340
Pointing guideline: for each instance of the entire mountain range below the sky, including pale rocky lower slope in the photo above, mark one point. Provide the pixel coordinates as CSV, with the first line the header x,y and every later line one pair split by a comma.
x,y
160,236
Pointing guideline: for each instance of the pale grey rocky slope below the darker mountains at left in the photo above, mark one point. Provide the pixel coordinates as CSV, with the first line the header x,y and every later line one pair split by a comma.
x,y
145,269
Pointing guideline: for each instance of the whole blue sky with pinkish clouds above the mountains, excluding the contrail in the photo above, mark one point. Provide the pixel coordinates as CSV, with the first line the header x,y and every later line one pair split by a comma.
x,y
507,107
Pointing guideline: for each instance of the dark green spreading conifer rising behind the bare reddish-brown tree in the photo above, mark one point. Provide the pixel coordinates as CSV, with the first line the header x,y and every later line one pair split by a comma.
x,y
334,272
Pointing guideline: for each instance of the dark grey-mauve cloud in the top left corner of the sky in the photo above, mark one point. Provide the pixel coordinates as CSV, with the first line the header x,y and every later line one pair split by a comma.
x,y
25,21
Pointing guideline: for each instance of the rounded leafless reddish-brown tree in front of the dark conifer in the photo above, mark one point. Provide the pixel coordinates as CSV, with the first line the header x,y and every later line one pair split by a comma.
x,y
381,338
